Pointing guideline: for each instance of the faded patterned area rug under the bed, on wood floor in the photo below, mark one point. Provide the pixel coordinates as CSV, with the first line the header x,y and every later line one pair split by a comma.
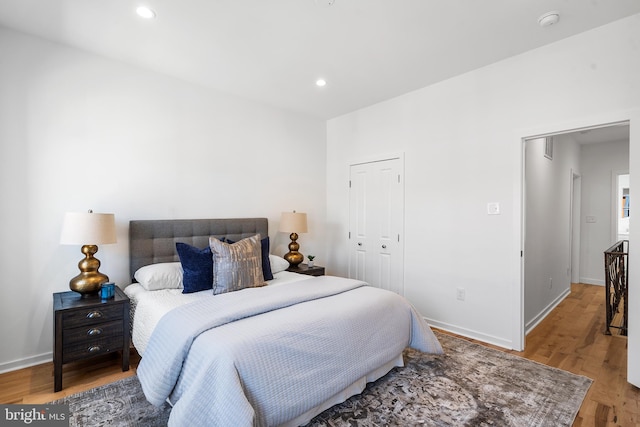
x,y
470,385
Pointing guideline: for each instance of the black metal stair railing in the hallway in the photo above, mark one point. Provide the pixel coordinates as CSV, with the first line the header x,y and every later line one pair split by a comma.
x,y
616,278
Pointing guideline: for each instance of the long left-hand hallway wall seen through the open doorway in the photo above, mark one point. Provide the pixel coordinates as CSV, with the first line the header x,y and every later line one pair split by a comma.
x,y
547,274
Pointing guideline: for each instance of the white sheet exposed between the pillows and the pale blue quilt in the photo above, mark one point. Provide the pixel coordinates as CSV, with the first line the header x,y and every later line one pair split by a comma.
x,y
147,307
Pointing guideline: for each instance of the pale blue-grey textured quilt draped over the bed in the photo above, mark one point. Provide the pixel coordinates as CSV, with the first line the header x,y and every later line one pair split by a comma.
x,y
267,356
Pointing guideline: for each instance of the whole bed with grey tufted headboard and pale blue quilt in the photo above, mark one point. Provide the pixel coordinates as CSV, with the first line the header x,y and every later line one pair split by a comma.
x,y
270,355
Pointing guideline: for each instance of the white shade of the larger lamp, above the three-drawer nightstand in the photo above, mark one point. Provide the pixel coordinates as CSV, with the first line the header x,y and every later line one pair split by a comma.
x,y
88,228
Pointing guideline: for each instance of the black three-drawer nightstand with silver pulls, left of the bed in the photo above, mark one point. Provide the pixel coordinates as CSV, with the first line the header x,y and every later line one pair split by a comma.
x,y
88,327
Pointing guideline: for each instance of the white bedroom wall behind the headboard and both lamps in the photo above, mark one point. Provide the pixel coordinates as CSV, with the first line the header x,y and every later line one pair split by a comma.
x,y
78,131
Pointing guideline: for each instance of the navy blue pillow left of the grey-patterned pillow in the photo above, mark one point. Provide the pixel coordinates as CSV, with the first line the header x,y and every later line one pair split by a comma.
x,y
197,268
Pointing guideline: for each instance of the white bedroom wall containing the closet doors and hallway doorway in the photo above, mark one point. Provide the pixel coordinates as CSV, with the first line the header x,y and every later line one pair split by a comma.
x,y
462,141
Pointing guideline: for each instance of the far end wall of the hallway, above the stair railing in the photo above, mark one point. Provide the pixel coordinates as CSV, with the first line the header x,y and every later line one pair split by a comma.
x,y
599,163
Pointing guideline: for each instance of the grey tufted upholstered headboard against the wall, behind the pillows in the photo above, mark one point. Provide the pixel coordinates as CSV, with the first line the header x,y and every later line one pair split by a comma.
x,y
154,241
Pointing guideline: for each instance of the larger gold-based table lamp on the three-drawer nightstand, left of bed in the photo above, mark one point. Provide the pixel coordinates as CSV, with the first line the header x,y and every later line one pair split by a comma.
x,y
89,230
